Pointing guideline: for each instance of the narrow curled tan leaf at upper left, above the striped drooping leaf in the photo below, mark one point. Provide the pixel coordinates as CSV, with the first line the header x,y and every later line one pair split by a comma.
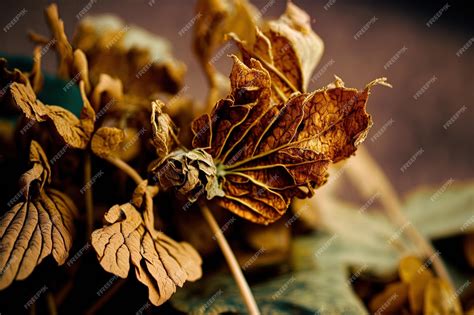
x,y
73,131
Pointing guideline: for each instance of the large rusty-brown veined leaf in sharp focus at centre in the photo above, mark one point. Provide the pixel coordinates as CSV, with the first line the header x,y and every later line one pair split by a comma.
x,y
267,154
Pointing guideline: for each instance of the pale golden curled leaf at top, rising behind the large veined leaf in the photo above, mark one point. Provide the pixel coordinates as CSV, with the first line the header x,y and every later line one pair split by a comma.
x,y
288,48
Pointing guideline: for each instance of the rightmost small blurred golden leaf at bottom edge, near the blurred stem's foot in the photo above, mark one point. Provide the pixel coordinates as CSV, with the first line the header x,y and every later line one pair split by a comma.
x,y
440,298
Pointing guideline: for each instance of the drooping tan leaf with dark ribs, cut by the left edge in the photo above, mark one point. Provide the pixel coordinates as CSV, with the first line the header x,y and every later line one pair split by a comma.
x,y
39,225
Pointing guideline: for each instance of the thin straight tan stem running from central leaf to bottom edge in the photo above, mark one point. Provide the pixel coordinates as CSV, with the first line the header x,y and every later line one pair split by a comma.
x,y
244,288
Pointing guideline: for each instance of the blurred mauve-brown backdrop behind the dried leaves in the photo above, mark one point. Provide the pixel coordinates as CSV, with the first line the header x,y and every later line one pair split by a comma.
x,y
419,47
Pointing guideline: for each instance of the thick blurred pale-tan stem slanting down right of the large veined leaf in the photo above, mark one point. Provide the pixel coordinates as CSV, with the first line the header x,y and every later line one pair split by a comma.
x,y
392,206
